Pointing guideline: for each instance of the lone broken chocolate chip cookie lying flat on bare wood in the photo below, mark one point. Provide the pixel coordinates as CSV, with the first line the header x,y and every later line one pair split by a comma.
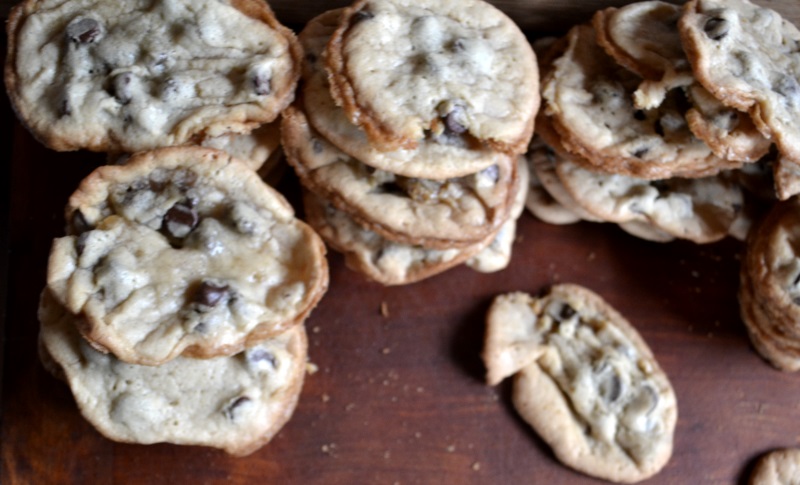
x,y
585,381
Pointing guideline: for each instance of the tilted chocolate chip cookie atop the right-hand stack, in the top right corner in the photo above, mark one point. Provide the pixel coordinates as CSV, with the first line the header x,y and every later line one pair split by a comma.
x,y
745,55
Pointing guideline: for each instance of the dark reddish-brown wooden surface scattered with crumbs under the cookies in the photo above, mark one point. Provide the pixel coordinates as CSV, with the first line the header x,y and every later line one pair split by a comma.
x,y
400,398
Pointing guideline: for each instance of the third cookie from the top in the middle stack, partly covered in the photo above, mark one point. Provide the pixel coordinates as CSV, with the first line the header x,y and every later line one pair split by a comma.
x,y
432,213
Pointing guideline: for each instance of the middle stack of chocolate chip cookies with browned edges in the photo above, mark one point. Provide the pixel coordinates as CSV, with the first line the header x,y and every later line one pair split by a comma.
x,y
407,131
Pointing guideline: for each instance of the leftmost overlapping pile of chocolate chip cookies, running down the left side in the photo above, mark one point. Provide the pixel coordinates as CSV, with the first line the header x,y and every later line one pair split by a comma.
x,y
174,306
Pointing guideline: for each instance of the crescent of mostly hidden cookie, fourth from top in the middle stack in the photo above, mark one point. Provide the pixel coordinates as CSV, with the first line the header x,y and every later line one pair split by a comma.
x,y
381,260
